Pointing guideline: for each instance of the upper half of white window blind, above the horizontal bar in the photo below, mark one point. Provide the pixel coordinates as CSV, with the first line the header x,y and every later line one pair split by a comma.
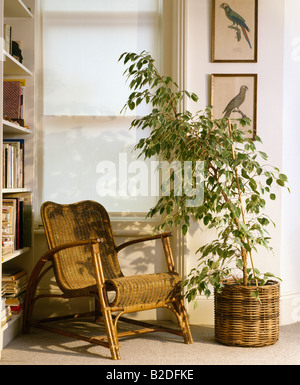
x,y
82,43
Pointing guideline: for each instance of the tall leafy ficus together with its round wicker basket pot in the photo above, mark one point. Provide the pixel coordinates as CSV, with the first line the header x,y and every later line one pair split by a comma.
x,y
235,183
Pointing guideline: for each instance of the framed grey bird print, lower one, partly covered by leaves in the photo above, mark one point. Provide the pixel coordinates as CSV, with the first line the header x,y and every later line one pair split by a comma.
x,y
235,96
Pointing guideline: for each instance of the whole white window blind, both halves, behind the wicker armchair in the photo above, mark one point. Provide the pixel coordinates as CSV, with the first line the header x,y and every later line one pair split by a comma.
x,y
85,139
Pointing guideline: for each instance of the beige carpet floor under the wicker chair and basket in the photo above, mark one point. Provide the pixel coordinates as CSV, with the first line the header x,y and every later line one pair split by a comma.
x,y
44,348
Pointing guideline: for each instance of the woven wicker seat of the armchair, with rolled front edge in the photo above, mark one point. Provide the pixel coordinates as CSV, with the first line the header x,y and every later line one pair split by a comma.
x,y
145,289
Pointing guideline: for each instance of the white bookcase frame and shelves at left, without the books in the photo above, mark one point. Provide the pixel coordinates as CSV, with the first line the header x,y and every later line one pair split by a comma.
x,y
20,15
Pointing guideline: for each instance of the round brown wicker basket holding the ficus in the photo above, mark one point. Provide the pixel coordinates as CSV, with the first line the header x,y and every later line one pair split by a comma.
x,y
241,320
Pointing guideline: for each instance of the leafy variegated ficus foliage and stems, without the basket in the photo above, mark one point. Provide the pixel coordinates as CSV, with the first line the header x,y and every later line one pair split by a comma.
x,y
236,179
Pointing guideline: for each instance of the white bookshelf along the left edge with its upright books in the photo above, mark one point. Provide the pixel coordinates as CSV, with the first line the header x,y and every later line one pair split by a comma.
x,y
18,15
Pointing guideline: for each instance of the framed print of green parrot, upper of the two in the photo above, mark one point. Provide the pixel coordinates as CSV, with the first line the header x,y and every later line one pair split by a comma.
x,y
234,31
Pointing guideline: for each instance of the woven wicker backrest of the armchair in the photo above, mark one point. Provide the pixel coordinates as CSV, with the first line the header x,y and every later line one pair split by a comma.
x,y
79,221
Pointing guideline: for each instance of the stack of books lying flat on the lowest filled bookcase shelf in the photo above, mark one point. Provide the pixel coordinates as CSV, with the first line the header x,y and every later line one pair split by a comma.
x,y
14,283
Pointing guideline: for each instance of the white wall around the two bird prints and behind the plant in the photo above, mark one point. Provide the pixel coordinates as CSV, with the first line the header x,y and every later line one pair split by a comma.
x,y
276,125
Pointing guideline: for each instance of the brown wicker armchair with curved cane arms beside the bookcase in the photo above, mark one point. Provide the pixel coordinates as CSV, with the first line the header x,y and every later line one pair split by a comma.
x,y
83,255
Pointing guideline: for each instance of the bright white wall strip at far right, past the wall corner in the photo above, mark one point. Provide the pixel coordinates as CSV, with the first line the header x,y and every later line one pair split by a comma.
x,y
290,261
